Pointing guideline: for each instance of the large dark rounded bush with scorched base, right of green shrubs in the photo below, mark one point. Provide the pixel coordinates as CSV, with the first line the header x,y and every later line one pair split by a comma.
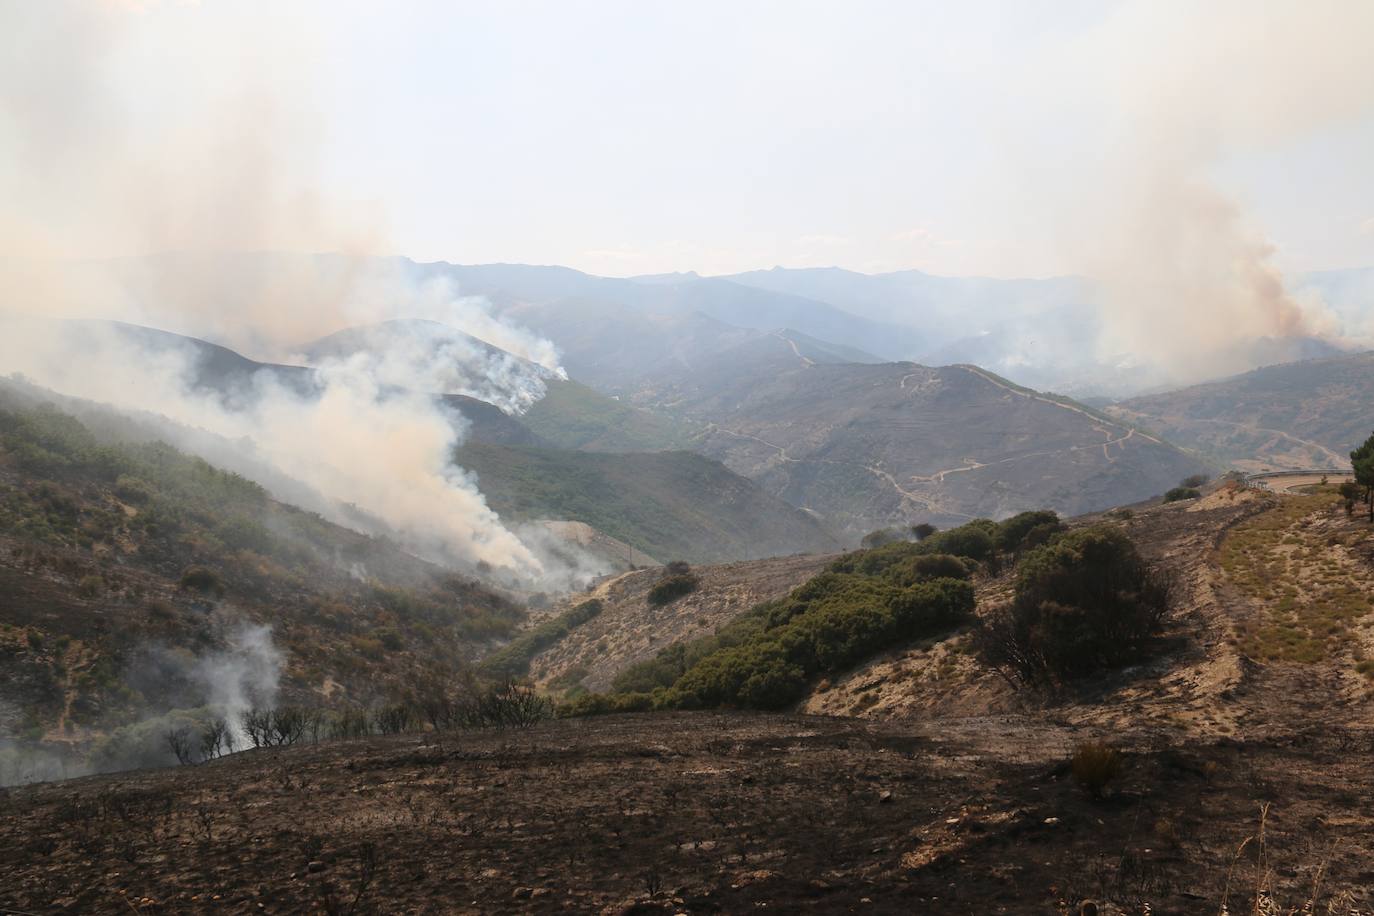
x,y
1083,602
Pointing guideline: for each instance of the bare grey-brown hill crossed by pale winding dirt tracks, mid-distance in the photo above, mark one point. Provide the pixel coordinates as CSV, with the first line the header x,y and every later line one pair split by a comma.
x,y
866,447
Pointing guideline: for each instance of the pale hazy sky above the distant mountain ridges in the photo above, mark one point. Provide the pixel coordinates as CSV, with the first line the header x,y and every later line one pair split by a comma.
x,y
648,137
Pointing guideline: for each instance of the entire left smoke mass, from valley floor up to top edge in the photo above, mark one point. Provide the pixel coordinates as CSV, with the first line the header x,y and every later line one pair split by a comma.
x,y
119,145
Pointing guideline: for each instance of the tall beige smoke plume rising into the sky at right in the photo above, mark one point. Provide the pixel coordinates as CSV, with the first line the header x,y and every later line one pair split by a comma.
x,y
1186,275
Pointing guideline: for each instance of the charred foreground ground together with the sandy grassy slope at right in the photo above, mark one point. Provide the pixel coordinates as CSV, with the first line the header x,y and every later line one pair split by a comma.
x,y
1247,775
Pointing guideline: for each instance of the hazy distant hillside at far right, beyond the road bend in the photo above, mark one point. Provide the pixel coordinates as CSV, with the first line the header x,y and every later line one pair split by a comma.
x,y
1292,415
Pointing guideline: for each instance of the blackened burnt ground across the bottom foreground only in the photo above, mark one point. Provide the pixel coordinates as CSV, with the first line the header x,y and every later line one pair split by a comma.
x,y
699,812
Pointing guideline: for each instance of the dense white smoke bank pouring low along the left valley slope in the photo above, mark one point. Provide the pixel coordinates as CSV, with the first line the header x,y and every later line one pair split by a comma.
x,y
354,440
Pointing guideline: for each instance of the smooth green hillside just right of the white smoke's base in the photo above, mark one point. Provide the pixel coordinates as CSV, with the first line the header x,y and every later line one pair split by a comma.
x,y
668,505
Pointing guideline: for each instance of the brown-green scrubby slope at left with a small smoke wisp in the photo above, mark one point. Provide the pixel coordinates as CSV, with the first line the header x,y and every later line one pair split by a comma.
x,y
139,582
